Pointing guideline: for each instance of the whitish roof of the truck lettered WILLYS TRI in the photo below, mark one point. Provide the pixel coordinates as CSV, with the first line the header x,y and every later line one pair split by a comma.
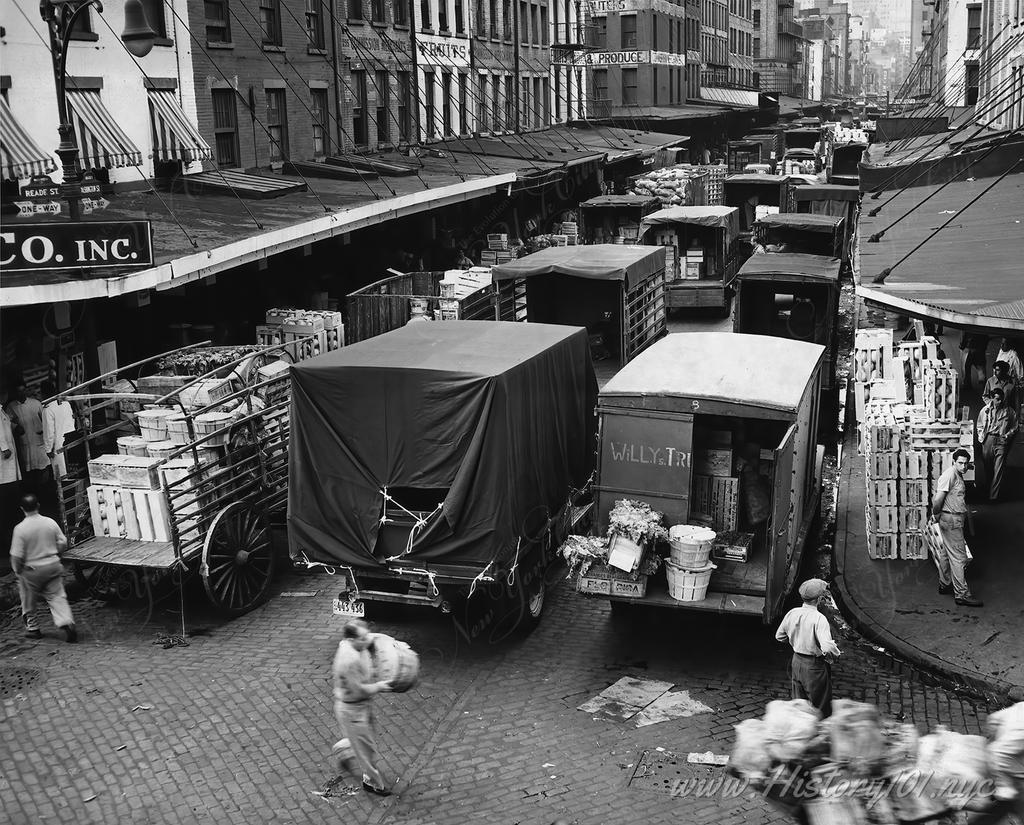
x,y
719,367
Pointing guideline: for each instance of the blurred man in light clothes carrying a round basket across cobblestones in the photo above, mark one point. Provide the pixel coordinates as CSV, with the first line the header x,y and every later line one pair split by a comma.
x,y
354,692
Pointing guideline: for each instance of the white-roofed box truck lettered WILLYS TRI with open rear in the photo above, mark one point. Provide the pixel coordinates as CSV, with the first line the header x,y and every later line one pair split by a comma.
x,y
718,429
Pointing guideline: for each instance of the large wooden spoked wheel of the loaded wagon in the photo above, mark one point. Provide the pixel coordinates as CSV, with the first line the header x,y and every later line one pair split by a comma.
x,y
239,561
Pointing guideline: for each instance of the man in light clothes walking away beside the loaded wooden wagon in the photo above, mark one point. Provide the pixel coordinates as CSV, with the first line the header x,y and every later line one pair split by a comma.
x,y
36,549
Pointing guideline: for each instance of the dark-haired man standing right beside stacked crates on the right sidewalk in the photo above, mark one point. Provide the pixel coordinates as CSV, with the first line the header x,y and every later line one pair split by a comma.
x,y
950,510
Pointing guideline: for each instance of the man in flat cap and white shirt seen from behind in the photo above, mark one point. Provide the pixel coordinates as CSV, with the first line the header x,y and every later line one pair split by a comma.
x,y
808,633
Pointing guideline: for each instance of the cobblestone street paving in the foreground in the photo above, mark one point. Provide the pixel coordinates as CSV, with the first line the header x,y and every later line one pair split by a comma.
x,y
237,727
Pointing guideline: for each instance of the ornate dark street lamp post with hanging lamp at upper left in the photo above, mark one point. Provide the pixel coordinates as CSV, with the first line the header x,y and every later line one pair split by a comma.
x,y
60,17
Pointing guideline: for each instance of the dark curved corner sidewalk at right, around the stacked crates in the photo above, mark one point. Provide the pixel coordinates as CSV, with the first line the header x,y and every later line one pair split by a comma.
x,y
897,603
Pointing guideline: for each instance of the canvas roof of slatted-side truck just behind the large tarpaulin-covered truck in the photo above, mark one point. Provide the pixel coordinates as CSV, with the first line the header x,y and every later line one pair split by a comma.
x,y
599,263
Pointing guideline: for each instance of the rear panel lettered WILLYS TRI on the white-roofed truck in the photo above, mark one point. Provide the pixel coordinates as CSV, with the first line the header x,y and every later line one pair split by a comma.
x,y
646,455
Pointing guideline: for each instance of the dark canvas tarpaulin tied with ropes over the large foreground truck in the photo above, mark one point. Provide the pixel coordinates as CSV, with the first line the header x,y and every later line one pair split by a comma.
x,y
498,417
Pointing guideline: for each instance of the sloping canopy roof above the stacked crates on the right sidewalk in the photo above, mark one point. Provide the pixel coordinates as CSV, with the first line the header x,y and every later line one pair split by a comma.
x,y
969,274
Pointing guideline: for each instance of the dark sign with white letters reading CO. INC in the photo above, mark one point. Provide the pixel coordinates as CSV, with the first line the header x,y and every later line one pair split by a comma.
x,y
76,246
